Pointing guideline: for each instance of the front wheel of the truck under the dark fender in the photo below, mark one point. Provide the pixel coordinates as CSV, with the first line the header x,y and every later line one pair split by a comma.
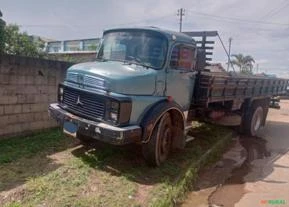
x,y
157,150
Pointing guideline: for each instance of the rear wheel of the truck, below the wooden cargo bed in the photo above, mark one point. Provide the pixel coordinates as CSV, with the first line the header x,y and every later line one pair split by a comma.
x,y
254,120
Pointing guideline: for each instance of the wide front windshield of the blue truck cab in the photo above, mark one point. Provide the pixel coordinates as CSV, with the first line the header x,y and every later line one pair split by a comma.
x,y
138,47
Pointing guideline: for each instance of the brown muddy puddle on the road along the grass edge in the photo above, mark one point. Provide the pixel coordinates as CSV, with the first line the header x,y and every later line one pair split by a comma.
x,y
223,185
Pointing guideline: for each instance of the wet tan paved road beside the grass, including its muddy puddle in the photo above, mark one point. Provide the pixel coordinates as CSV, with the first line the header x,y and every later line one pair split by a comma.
x,y
254,172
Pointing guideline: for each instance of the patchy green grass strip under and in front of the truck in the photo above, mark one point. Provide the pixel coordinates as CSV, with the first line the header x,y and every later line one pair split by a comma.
x,y
49,169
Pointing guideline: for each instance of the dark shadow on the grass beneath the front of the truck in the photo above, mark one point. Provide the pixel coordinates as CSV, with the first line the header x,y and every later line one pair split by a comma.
x,y
128,160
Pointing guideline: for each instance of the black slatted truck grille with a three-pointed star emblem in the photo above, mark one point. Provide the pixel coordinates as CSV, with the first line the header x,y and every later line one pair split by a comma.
x,y
84,103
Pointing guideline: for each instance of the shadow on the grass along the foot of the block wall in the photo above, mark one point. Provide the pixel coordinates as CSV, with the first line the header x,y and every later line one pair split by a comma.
x,y
23,158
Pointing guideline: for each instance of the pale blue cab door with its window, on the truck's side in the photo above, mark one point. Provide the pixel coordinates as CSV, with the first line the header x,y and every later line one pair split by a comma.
x,y
181,74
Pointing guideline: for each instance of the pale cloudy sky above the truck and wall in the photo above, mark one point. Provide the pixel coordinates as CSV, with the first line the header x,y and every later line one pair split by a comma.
x,y
259,28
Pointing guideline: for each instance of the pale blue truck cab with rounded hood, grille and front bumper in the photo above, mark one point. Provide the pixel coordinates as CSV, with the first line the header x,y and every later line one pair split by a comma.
x,y
141,75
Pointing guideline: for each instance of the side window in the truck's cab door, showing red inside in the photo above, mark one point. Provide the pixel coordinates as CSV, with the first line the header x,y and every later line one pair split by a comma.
x,y
183,58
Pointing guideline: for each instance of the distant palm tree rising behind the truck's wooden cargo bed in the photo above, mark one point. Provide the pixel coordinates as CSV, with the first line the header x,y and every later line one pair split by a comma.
x,y
245,63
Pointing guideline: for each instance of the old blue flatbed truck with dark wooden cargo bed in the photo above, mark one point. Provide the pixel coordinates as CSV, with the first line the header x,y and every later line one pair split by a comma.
x,y
148,84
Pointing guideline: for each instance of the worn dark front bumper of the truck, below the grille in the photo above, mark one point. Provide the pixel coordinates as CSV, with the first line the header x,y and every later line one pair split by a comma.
x,y
97,130
